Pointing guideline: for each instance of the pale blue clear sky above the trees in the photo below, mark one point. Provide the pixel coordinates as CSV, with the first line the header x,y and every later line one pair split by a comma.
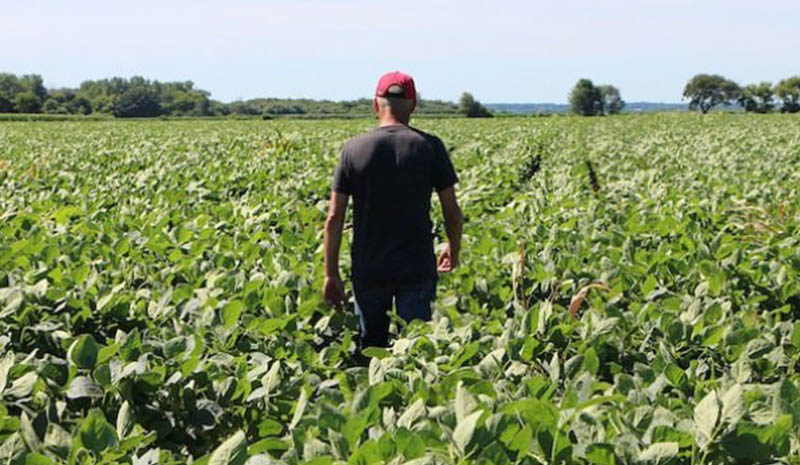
x,y
501,51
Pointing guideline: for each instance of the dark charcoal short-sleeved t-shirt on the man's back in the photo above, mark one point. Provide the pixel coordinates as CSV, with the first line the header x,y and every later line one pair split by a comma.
x,y
391,173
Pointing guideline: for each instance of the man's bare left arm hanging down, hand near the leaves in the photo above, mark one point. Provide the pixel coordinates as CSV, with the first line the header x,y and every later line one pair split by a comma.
x,y
333,290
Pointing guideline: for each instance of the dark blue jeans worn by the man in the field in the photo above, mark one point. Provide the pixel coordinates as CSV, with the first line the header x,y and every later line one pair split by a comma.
x,y
373,306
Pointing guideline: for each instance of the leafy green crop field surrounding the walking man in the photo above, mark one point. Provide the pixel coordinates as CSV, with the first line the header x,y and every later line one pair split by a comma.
x,y
630,293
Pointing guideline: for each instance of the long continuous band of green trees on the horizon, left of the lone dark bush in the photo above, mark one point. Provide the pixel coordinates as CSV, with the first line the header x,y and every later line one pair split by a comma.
x,y
140,97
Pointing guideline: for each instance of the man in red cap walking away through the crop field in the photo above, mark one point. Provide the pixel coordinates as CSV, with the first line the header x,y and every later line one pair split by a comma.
x,y
391,173
